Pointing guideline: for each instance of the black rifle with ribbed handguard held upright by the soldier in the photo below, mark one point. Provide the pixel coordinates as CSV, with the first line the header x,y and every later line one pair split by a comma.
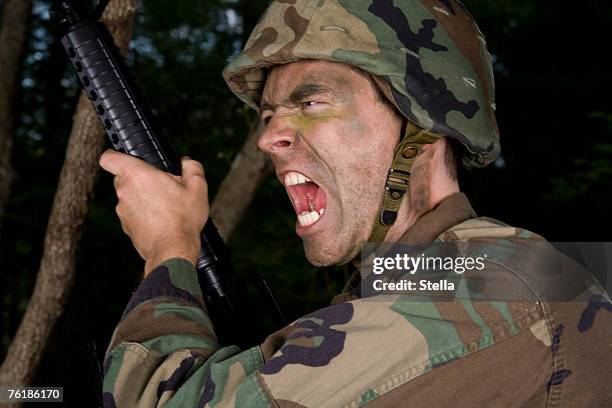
x,y
130,129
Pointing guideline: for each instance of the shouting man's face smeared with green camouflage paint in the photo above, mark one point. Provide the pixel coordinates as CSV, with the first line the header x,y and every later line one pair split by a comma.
x,y
331,141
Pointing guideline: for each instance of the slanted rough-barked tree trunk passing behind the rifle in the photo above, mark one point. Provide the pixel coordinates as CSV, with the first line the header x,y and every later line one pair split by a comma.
x,y
56,274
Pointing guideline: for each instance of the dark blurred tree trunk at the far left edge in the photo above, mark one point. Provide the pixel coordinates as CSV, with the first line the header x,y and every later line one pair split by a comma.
x,y
12,37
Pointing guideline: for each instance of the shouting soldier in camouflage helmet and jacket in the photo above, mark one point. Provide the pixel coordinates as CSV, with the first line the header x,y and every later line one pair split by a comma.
x,y
369,107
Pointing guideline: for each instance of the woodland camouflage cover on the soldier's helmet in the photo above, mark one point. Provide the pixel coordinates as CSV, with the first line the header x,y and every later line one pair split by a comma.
x,y
428,55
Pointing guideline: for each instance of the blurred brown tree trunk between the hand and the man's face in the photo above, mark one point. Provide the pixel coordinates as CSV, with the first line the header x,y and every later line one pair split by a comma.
x,y
249,169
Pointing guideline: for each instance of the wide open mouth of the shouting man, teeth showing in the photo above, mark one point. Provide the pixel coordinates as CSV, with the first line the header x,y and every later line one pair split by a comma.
x,y
308,199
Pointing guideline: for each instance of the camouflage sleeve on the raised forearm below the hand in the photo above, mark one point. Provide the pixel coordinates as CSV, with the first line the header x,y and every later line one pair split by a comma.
x,y
164,351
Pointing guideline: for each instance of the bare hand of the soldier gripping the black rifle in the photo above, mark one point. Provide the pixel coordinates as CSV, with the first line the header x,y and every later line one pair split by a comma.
x,y
163,214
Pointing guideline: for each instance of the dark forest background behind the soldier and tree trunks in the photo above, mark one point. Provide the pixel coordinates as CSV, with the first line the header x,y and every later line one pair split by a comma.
x,y
554,176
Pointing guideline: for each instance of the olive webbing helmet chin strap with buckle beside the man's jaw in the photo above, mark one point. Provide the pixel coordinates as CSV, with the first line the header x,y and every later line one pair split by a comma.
x,y
398,178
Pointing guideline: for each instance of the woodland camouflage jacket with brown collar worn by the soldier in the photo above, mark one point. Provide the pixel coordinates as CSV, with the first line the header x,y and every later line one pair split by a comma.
x,y
358,352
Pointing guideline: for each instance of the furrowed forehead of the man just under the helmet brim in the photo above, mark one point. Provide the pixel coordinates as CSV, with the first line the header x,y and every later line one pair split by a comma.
x,y
333,76
